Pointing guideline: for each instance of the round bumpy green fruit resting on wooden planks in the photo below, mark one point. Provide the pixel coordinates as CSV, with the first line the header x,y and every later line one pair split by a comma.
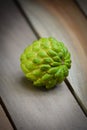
x,y
46,62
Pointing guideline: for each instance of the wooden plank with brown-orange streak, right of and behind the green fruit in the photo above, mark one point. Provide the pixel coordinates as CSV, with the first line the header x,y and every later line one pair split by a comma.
x,y
64,21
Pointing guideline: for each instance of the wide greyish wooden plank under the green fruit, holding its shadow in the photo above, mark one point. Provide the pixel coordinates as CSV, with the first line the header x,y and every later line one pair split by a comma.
x,y
30,108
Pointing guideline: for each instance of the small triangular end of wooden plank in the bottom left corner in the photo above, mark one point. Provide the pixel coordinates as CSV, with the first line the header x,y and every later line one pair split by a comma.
x,y
4,122
